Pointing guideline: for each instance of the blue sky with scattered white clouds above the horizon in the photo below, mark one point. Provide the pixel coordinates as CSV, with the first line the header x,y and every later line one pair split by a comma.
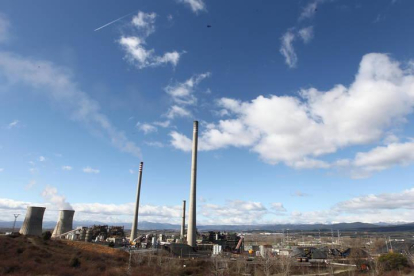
x,y
305,109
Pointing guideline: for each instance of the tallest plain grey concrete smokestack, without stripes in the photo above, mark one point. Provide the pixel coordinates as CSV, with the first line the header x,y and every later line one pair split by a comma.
x,y
191,232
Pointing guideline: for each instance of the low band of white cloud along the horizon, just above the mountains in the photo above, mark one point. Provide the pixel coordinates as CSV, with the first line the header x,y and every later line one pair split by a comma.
x,y
385,207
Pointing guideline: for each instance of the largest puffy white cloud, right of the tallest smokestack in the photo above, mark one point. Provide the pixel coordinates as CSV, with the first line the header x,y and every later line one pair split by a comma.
x,y
296,130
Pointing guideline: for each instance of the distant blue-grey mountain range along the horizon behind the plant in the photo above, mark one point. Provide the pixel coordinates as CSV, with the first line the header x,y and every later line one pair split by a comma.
x,y
145,225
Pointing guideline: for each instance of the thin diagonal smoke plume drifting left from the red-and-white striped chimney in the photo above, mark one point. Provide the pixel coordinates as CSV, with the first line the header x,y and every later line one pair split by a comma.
x,y
56,83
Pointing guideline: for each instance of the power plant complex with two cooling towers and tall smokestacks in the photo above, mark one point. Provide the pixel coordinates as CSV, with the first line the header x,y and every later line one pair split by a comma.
x,y
185,243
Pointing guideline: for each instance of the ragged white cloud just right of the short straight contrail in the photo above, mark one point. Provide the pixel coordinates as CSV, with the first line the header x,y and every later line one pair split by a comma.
x,y
135,46
